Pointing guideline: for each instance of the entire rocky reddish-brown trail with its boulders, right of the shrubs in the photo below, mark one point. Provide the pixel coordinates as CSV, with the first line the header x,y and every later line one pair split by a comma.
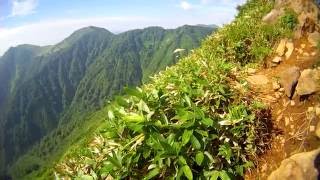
x,y
290,84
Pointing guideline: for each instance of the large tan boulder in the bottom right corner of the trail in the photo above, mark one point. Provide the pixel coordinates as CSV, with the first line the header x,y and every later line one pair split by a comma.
x,y
302,166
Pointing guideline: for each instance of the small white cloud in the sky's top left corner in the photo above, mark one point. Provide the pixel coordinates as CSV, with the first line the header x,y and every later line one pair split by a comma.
x,y
23,7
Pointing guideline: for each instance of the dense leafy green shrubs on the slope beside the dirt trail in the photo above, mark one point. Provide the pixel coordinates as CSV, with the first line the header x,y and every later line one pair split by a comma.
x,y
190,122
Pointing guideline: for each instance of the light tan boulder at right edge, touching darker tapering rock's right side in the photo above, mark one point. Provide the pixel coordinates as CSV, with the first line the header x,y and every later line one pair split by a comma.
x,y
308,82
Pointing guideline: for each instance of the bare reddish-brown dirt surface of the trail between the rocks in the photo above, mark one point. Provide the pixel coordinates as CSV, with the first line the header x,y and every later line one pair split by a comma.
x,y
292,127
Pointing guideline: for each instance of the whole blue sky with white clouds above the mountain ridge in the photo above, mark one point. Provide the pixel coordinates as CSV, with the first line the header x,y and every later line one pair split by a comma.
x,y
46,22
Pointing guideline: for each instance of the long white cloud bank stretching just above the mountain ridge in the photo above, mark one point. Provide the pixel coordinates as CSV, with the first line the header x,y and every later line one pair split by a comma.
x,y
49,32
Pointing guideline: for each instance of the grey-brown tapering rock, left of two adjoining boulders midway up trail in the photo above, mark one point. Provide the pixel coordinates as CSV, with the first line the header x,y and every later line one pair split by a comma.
x,y
289,79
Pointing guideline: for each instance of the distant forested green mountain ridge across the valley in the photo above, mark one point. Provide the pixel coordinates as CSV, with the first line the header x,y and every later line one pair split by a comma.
x,y
42,87
